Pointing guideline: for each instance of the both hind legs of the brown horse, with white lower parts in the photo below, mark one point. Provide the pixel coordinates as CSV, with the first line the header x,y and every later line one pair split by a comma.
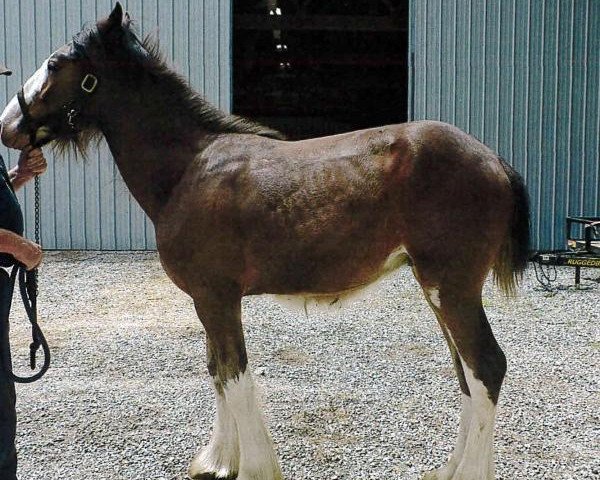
x,y
480,365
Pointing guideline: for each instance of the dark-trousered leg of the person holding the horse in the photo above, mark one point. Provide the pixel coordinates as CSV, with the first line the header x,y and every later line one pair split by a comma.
x,y
8,415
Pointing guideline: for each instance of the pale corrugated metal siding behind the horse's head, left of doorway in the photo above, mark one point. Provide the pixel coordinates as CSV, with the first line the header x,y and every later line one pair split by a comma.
x,y
86,205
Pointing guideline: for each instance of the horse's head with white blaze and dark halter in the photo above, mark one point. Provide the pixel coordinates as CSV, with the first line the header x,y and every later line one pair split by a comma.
x,y
61,100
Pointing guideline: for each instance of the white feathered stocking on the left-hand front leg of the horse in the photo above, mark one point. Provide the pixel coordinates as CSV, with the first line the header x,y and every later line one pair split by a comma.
x,y
222,454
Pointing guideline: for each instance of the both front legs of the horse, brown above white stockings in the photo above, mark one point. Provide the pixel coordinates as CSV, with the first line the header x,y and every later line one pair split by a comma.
x,y
240,445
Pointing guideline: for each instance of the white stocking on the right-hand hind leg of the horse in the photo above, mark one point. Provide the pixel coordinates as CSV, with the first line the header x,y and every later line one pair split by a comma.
x,y
477,461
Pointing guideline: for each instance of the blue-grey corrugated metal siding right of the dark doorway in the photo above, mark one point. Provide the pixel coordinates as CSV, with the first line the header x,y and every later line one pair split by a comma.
x,y
522,76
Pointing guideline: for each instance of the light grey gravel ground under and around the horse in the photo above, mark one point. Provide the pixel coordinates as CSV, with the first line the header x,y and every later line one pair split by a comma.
x,y
366,392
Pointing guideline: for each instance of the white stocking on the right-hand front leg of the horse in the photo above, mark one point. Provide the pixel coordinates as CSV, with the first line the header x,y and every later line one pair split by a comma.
x,y
257,456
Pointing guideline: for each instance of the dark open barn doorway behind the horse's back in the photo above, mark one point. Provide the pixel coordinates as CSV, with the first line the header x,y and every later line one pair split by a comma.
x,y
319,67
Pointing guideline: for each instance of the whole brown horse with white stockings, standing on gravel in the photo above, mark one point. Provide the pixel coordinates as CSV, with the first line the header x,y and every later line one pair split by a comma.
x,y
238,211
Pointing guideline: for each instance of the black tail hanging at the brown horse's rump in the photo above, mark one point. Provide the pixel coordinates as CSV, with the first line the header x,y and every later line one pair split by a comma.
x,y
513,256
